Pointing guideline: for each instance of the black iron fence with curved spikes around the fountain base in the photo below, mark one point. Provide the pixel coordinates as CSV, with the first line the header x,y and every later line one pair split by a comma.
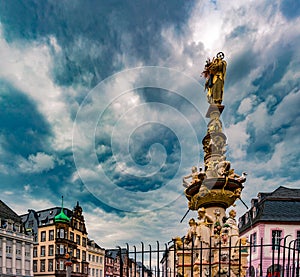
x,y
280,259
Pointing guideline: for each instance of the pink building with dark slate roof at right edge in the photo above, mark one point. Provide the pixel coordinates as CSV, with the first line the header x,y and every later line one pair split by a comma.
x,y
272,225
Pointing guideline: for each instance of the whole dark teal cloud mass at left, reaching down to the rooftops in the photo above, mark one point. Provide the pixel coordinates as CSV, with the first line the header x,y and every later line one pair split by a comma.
x,y
24,131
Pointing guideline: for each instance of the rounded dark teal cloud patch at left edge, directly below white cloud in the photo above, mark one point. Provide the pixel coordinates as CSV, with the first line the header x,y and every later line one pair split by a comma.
x,y
25,129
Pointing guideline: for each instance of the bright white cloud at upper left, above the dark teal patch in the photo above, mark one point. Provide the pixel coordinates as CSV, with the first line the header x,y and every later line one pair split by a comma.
x,y
28,67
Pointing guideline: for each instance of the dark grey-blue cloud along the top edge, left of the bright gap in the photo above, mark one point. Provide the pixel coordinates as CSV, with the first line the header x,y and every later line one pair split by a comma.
x,y
83,28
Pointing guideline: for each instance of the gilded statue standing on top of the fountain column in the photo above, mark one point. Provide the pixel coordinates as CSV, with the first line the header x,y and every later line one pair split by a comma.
x,y
215,73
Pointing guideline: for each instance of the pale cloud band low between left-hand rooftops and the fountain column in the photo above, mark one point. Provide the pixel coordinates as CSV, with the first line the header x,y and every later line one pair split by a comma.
x,y
112,229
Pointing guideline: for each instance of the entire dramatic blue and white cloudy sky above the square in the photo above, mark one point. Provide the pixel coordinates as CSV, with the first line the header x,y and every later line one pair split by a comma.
x,y
102,102
